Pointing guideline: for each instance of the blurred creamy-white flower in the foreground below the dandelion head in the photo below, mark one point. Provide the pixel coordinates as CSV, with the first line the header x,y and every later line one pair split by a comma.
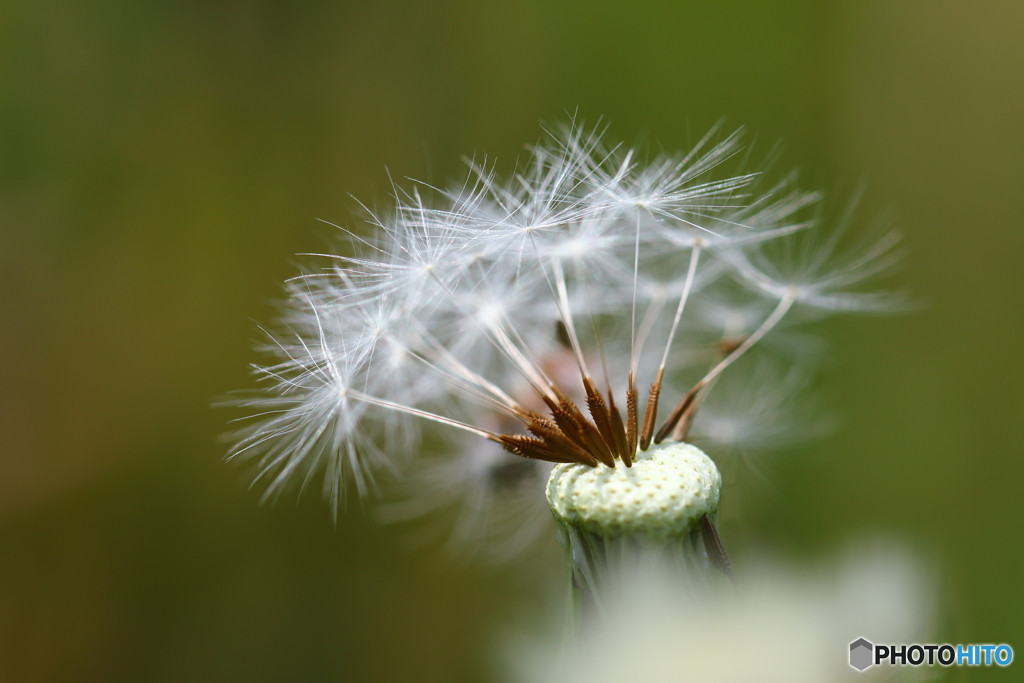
x,y
790,627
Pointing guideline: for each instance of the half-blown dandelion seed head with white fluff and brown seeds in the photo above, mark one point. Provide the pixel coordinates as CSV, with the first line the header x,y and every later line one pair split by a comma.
x,y
558,330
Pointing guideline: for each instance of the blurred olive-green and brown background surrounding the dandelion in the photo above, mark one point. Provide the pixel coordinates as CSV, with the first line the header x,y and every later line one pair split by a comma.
x,y
162,162
